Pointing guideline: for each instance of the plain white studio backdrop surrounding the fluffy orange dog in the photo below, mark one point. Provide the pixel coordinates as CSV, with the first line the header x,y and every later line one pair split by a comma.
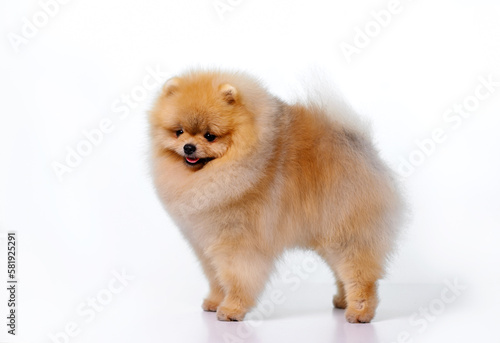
x,y
74,231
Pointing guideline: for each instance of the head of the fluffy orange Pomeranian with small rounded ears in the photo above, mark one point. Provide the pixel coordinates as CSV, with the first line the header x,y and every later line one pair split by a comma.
x,y
200,117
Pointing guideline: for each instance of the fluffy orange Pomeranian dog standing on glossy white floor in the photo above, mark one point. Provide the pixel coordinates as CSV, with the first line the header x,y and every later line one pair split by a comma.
x,y
246,176
